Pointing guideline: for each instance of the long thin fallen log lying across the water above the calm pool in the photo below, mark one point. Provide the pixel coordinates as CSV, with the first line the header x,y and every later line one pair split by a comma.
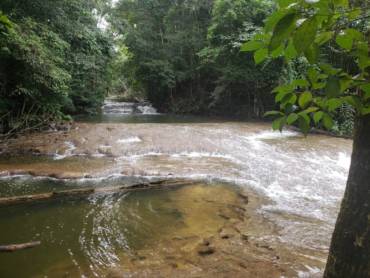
x,y
85,192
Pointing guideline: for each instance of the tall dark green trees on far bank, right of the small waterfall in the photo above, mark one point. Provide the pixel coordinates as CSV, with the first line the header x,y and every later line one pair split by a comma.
x,y
184,55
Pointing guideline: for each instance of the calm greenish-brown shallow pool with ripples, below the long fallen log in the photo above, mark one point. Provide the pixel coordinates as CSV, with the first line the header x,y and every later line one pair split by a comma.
x,y
90,237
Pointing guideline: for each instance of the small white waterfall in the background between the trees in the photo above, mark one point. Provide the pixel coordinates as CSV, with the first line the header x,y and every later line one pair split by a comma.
x,y
128,108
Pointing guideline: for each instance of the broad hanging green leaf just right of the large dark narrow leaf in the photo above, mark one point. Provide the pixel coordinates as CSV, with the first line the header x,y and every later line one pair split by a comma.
x,y
305,35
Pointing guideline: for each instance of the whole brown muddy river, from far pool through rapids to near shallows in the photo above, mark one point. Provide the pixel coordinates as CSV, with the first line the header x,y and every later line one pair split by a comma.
x,y
295,185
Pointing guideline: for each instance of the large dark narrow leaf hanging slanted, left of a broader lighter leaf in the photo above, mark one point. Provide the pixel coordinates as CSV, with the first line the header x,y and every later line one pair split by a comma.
x,y
282,30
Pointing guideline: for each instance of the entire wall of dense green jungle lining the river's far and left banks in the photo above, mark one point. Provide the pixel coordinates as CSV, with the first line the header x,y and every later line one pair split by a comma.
x,y
58,59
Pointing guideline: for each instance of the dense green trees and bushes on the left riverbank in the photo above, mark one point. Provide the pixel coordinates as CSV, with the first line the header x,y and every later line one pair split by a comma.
x,y
53,61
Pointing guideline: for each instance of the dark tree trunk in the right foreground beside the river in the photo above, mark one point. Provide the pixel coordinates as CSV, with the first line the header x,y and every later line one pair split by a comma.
x,y
349,255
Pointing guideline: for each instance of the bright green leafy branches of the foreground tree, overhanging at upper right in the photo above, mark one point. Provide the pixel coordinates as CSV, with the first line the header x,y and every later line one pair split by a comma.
x,y
309,29
